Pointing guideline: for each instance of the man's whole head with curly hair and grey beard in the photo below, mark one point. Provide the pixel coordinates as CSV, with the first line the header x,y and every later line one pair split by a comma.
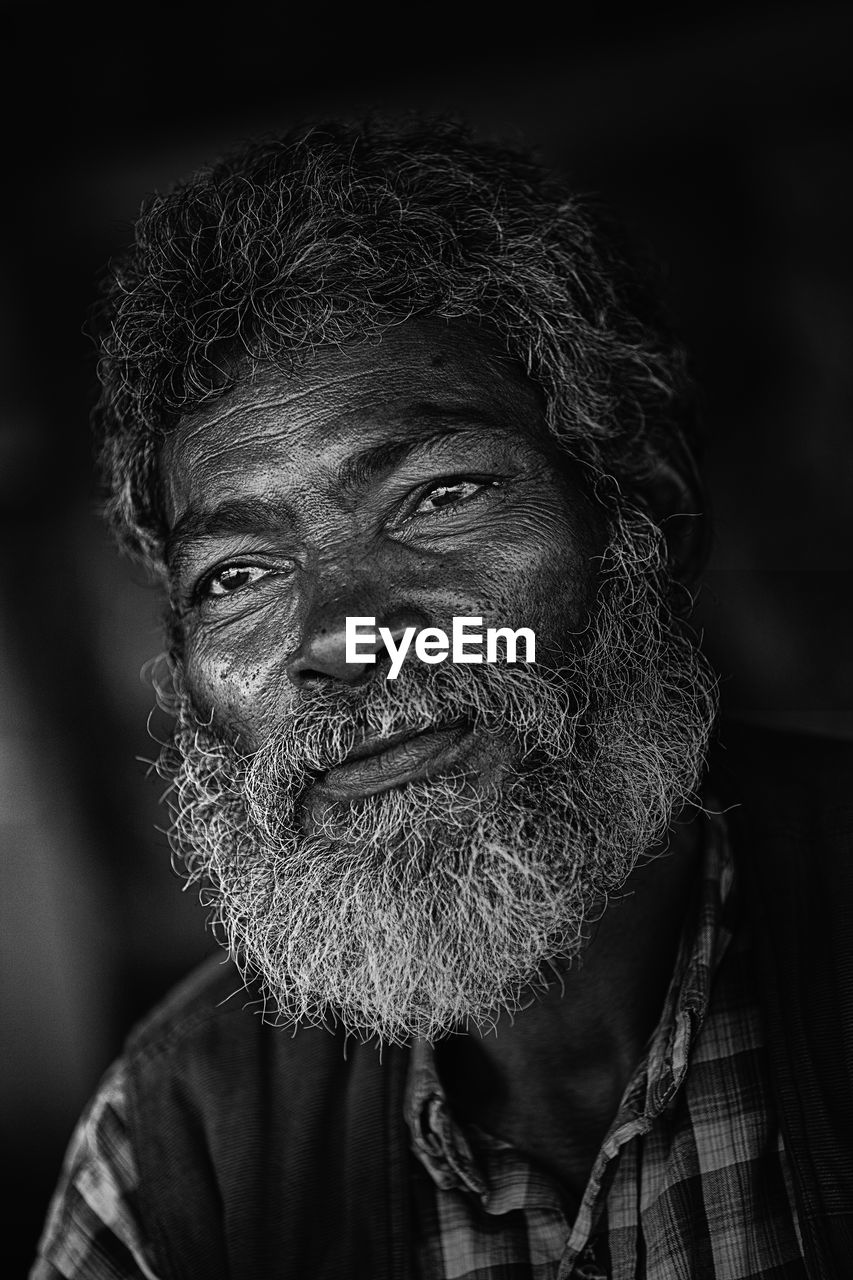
x,y
398,374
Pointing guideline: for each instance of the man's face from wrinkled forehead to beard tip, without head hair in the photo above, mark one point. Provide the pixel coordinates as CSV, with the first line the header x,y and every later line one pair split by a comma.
x,y
404,856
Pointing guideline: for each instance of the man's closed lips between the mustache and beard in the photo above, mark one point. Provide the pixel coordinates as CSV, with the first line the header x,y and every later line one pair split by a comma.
x,y
380,765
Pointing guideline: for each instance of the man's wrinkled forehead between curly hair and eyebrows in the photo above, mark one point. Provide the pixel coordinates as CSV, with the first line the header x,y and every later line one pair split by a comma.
x,y
422,378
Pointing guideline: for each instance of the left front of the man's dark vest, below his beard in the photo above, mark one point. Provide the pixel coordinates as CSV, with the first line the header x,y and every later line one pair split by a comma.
x,y
245,1114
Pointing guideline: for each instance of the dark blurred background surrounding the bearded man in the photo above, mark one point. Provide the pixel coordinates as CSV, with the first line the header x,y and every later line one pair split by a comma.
x,y
723,136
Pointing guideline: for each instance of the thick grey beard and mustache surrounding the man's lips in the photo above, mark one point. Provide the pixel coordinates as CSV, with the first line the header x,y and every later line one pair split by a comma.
x,y
436,906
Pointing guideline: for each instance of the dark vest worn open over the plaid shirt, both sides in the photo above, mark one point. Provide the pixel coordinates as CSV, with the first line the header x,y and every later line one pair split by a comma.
x,y
266,1154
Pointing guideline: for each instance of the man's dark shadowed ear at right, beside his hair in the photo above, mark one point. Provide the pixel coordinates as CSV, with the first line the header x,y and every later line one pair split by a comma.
x,y
677,501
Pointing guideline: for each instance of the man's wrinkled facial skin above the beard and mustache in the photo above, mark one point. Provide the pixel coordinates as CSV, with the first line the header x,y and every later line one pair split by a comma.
x,y
408,482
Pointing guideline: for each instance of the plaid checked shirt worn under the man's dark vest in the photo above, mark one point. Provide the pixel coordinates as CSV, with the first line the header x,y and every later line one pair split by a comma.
x,y
692,1178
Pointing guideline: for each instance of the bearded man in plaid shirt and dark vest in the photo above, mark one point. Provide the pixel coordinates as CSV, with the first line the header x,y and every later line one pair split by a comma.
x,y
519,985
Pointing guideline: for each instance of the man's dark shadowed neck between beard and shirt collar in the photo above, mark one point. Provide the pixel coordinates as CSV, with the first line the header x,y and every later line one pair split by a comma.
x,y
551,1077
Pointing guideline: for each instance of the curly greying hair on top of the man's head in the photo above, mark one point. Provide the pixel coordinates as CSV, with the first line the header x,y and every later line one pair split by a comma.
x,y
335,232
